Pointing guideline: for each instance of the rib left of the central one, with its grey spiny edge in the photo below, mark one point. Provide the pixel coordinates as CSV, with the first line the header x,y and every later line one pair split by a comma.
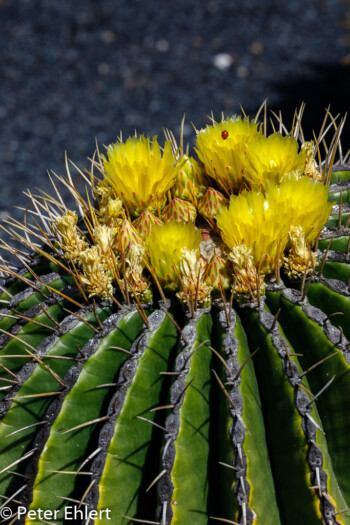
x,y
125,440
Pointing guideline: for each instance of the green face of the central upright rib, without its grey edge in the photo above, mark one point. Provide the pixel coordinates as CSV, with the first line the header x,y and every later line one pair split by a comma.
x,y
190,468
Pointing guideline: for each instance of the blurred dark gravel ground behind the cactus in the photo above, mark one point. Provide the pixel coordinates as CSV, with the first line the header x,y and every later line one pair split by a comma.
x,y
73,70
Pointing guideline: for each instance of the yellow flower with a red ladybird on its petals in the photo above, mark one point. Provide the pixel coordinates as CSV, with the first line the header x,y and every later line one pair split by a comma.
x,y
221,148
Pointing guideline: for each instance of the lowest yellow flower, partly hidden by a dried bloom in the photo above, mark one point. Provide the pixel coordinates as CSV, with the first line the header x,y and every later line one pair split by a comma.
x,y
166,244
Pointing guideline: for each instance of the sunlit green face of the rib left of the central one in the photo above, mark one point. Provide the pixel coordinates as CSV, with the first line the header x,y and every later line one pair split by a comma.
x,y
123,475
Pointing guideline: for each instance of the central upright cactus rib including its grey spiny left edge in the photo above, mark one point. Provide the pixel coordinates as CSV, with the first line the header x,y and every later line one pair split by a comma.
x,y
183,489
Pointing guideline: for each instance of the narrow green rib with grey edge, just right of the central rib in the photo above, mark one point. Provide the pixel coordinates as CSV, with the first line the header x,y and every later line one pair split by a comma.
x,y
253,471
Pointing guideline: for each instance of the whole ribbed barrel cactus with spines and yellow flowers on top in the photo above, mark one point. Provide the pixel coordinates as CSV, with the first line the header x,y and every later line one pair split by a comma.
x,y
174,351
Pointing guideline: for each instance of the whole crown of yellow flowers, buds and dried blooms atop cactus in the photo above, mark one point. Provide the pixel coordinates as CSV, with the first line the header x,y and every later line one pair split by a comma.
x,y
250,205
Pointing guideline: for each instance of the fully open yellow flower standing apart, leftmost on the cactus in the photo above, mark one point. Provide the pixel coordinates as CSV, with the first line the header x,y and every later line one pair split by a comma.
x,y
139,173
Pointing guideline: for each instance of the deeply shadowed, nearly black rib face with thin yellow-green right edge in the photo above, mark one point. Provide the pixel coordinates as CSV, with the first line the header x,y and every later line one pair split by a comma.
x,y
286,442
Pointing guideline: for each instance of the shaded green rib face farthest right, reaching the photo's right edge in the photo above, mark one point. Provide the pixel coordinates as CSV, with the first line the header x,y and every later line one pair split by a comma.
x,y
311,341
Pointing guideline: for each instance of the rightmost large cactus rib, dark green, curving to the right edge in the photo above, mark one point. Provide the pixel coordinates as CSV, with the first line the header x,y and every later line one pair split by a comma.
x,y
322,340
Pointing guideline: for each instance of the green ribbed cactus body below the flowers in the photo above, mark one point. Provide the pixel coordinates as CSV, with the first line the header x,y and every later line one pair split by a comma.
x,y
262,434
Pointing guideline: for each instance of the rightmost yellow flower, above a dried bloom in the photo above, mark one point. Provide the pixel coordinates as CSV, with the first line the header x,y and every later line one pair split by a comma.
x,y
302,202
